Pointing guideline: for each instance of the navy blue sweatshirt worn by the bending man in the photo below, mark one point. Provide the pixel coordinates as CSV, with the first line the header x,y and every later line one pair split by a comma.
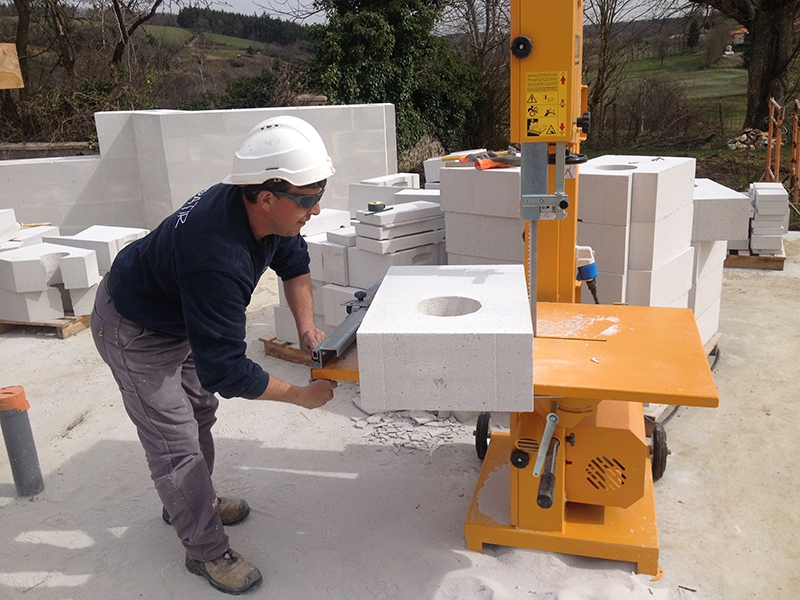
x,y
193,277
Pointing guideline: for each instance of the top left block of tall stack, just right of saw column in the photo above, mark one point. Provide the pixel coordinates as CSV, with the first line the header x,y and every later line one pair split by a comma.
x,y
604,196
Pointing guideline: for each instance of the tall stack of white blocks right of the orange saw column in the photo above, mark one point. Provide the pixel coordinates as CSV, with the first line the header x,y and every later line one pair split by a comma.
x,y
654,265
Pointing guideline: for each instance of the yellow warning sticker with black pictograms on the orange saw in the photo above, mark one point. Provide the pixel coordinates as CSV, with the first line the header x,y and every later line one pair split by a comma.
x,y
546,104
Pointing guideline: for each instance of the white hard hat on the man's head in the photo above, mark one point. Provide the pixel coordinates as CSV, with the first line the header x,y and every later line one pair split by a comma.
x,y
285,148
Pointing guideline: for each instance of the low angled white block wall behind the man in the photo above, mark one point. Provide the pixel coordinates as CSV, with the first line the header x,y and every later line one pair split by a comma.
x,y
151,162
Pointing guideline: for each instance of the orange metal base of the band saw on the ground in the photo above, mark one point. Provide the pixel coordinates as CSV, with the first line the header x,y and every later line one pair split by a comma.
x,y
624,534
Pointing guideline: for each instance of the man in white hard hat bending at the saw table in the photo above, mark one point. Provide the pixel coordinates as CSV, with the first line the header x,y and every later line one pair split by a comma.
x,y
169,320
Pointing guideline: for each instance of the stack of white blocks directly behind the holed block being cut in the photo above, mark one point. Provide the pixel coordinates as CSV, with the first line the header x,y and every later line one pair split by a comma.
x,y
481,212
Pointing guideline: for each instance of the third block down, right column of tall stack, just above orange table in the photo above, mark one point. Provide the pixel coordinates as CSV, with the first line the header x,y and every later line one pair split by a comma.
x,y
664,285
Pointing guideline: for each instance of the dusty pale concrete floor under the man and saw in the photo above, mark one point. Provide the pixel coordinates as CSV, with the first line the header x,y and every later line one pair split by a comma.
x,y
339,514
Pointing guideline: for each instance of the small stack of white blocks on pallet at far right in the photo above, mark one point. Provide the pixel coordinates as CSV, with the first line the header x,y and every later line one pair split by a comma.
x,y
770,220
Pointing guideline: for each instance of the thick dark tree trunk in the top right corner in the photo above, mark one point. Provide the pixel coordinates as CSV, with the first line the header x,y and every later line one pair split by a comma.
x,y
773,47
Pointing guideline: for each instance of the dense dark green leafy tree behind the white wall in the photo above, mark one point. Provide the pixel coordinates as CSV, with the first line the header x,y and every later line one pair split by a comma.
x,y
375,51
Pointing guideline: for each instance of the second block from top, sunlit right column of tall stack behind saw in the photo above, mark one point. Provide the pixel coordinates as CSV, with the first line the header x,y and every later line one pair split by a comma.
x,y
656,243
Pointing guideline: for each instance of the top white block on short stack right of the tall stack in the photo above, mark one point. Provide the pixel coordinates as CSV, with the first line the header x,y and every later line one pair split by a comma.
x,y
720,213
